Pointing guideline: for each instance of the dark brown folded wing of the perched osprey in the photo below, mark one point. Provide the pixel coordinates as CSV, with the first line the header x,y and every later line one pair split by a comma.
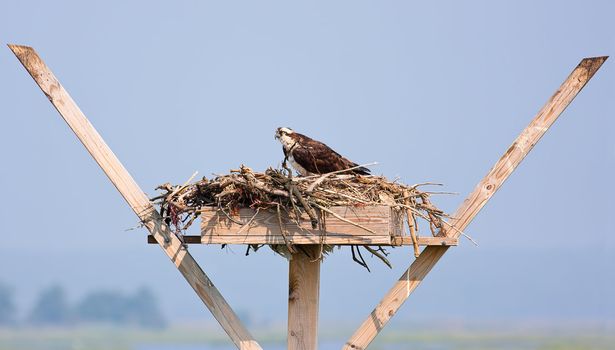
x,y
318,158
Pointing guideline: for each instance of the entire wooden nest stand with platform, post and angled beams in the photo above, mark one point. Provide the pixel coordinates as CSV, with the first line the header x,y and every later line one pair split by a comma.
x,y
304,272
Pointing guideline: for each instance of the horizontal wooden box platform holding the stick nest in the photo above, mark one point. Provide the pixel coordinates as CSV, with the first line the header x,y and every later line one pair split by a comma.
x,y
368,225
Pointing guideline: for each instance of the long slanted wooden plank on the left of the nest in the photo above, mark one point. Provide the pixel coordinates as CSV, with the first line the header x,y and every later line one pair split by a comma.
x,y
137,200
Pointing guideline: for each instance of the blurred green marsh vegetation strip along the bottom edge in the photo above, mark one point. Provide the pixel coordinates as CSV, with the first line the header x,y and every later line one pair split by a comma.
x,y
117,338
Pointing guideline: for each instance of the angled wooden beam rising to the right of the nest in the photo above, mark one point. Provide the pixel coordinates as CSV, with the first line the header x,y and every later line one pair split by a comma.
x,y
485,189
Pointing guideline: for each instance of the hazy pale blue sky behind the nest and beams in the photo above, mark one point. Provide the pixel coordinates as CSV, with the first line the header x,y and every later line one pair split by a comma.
x,y
434,91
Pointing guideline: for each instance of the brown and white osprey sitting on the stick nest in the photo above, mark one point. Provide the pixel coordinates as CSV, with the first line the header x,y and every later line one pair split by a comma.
x,y
310,157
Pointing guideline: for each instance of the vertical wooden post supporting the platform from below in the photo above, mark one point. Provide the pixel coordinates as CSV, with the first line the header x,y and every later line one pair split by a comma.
x,y
303,294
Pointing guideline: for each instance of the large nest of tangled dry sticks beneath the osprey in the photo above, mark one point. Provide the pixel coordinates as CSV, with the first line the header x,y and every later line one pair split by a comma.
x,y
277,190
